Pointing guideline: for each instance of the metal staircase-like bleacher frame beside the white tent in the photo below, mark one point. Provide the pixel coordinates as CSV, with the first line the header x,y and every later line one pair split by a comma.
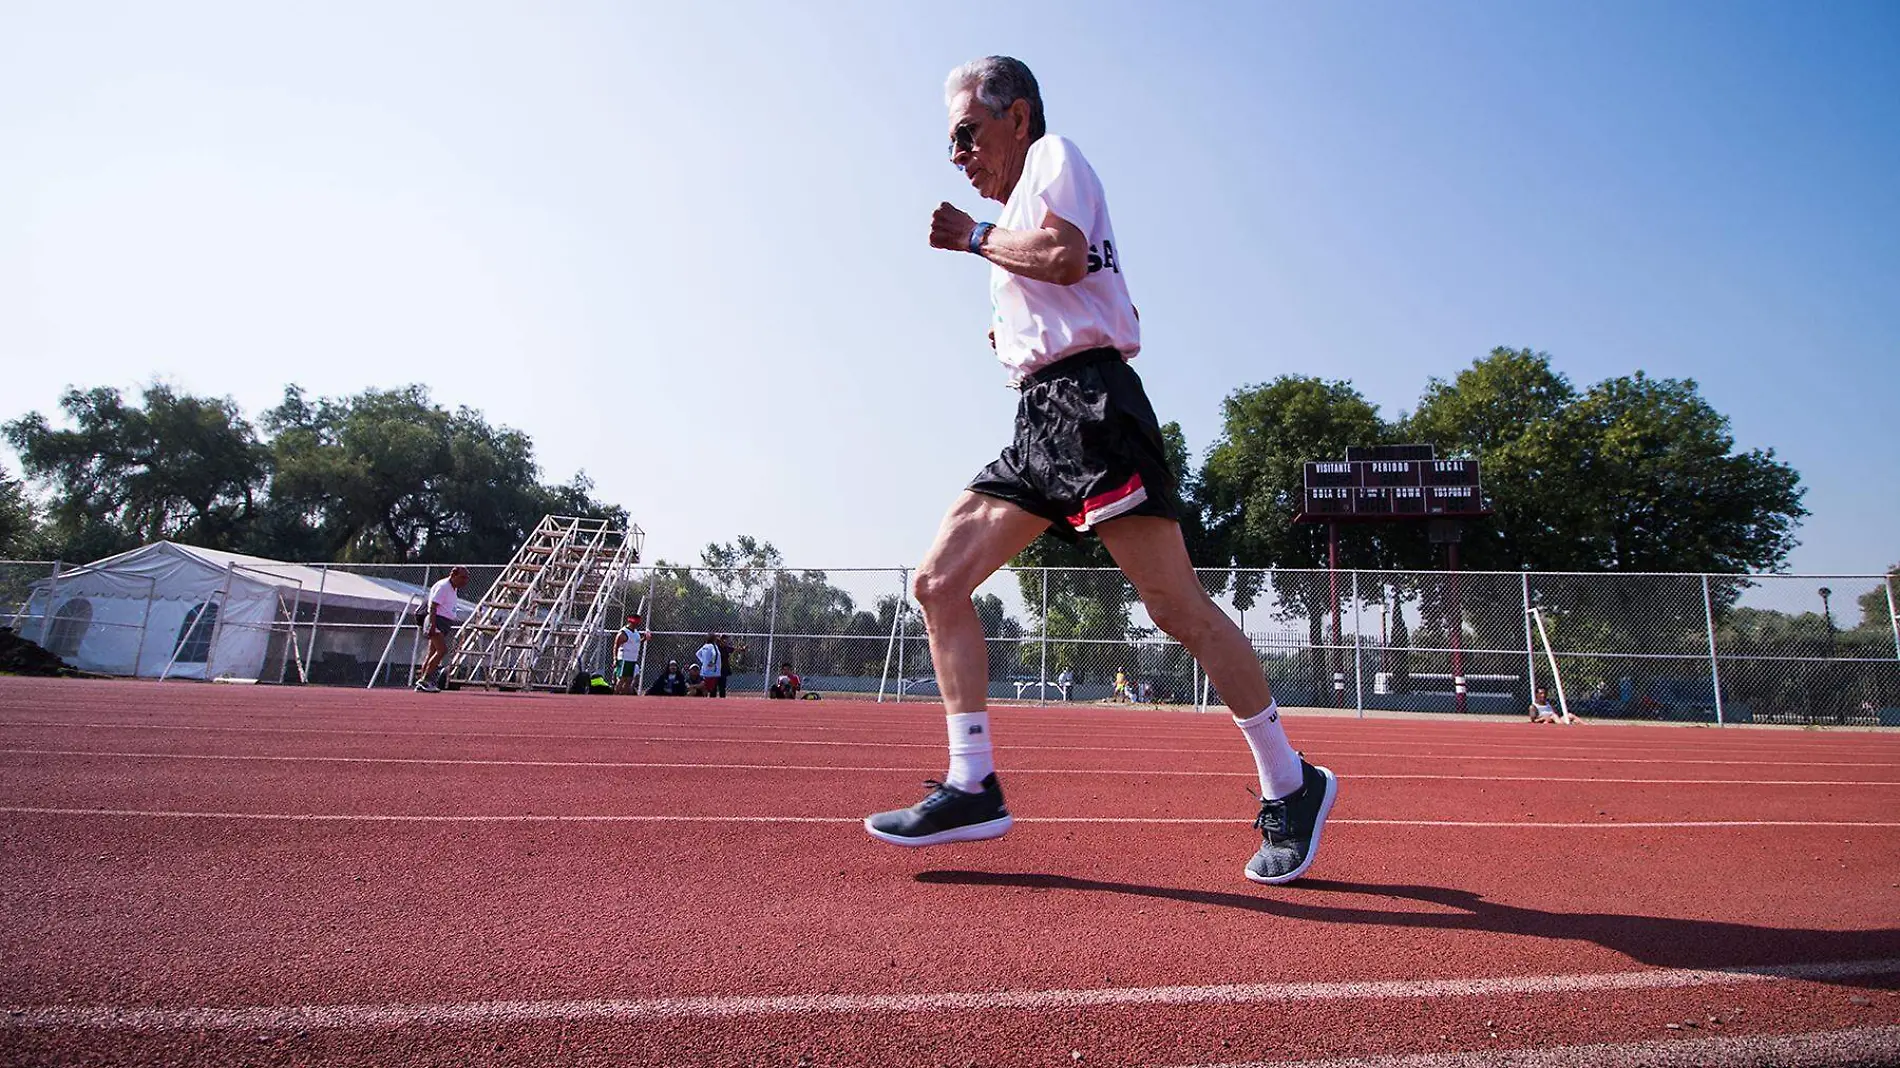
x,y
537,622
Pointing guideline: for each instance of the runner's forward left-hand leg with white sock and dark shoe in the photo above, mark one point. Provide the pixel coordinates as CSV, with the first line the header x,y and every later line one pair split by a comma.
x,y
978,537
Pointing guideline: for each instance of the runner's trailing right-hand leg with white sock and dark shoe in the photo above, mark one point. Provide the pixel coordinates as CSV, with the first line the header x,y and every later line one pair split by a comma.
x,y
1295,795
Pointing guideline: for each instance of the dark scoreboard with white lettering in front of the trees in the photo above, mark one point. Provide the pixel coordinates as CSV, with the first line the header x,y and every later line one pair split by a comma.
x,y
1394,487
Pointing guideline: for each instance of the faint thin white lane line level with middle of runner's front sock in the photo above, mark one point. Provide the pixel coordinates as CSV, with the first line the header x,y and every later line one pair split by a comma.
x,y
1021,748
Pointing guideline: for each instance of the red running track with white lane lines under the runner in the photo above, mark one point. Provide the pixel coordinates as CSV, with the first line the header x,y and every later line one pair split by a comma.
x,y
233,875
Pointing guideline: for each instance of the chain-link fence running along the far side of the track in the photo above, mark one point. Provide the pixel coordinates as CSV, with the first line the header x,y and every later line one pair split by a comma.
x,y
1665,647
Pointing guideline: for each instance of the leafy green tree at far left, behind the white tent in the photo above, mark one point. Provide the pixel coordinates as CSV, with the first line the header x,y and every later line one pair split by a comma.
x,y
174,468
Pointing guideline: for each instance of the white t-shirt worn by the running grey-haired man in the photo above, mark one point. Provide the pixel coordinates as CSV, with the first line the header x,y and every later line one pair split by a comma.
x,y
1040,322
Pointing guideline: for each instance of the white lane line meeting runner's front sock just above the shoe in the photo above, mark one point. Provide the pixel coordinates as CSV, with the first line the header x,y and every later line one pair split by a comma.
x,y
706,767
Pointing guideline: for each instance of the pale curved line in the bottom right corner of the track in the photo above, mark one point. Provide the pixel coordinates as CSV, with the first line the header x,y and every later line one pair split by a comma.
x,y
1810,1050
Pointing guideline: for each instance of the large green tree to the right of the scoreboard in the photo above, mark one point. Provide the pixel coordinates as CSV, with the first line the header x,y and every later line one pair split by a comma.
x,y
1629,476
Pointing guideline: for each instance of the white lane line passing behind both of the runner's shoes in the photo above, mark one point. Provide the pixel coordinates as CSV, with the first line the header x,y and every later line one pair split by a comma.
x,y
854,820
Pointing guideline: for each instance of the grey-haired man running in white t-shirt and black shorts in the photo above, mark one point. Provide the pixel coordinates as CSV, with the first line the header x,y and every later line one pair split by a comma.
x,y
1088,459
